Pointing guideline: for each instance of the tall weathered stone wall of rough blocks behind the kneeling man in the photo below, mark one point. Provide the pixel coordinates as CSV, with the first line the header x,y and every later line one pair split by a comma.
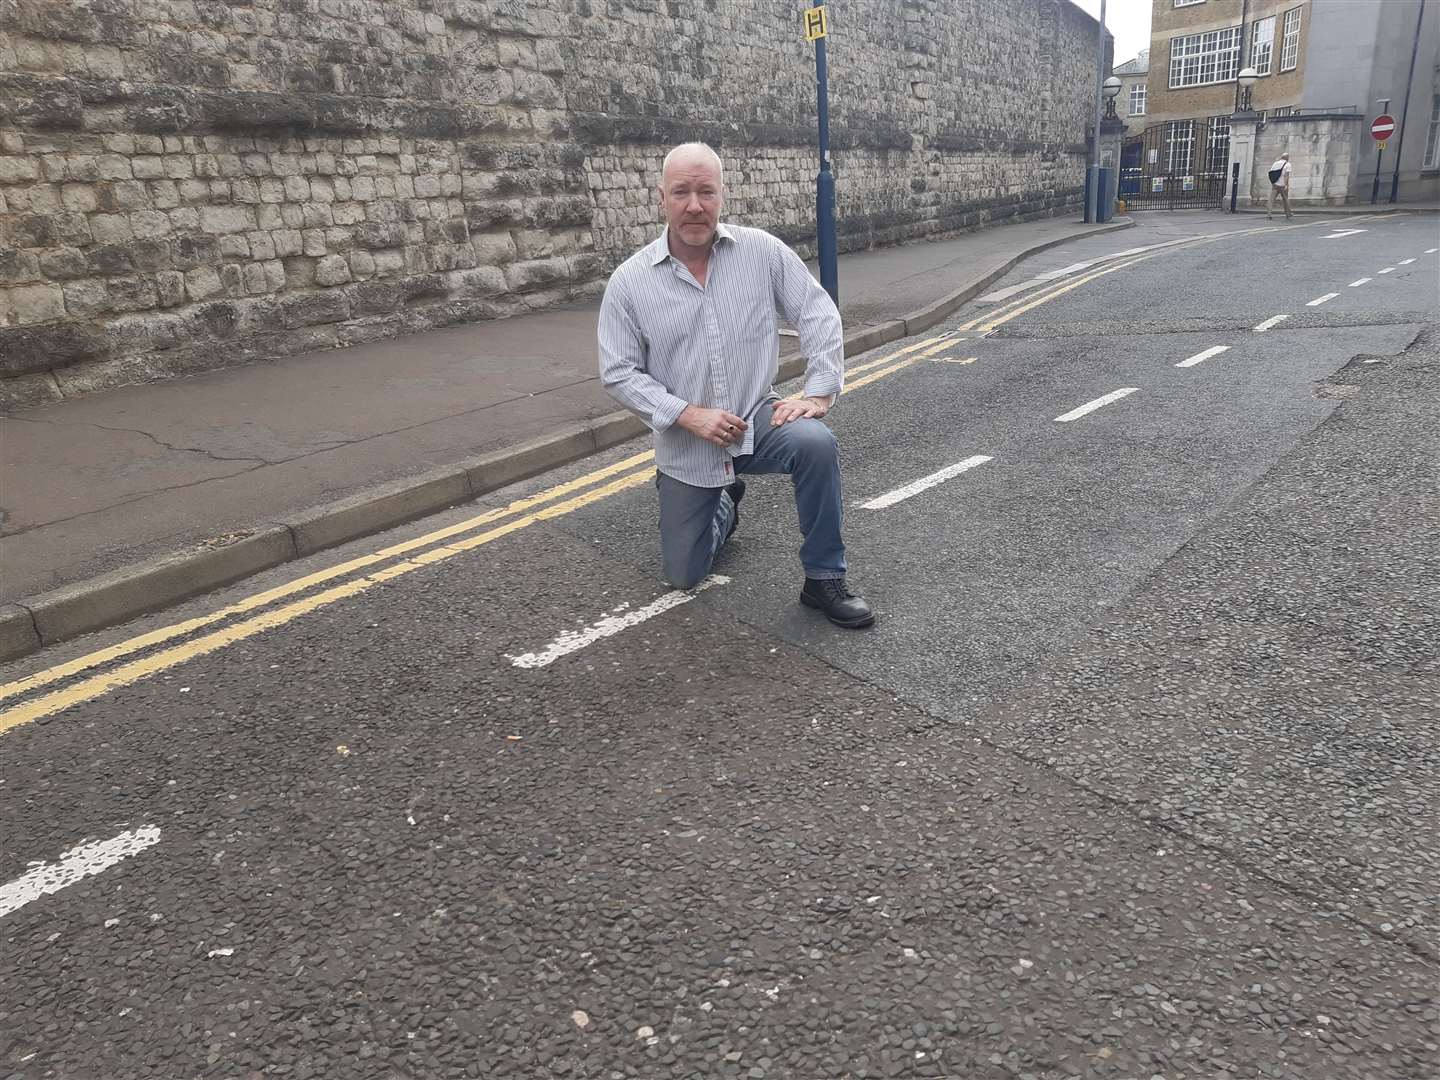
x,y
186,184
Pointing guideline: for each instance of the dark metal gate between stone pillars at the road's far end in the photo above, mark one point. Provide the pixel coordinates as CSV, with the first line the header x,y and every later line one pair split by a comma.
x,y
1179,165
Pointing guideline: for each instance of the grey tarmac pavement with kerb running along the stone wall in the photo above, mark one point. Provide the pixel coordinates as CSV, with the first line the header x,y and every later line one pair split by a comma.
x,y
135,499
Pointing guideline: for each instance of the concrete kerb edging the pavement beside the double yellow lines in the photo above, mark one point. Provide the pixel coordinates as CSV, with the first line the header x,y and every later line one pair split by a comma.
x,y
114,598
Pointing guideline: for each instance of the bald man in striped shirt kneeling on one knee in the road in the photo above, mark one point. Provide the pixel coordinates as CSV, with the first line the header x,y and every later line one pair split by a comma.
x,y
689,343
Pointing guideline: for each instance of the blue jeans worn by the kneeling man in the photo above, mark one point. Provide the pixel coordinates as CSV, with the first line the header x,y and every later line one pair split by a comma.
x,y
696,522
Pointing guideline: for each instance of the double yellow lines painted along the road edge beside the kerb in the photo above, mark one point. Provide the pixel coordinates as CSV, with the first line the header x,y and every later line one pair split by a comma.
x,y
424,551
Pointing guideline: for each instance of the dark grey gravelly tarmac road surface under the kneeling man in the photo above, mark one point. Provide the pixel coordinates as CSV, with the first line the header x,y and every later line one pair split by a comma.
x,y
1135,778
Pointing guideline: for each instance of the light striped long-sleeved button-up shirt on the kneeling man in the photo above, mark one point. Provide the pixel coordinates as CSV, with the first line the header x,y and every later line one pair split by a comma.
x,y
669,342
